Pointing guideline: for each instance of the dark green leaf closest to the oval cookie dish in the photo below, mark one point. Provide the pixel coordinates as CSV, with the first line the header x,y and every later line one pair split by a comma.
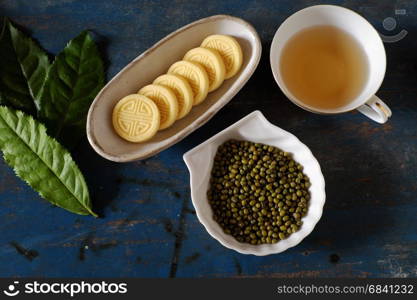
x,y
74,79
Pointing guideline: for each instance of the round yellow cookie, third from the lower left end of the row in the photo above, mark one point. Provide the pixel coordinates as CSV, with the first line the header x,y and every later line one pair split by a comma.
x,y
182,90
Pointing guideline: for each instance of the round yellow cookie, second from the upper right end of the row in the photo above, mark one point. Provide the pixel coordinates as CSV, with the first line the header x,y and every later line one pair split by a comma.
x,y
212,62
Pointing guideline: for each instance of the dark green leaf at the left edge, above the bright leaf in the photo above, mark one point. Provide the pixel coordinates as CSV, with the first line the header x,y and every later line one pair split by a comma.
x,y
22,71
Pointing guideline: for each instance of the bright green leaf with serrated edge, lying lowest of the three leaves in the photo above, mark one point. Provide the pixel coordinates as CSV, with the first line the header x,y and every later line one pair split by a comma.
x,y
42,162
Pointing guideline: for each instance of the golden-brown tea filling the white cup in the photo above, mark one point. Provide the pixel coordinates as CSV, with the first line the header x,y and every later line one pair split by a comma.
x,y
324,67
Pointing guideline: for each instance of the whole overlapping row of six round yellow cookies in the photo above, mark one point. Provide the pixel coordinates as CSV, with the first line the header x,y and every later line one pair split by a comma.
x,y
138,117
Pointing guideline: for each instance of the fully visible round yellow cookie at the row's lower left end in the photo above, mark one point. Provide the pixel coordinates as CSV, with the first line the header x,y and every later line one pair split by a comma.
x,y
136,118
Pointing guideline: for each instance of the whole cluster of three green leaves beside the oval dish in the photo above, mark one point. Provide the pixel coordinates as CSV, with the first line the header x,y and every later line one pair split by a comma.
x,y
59,95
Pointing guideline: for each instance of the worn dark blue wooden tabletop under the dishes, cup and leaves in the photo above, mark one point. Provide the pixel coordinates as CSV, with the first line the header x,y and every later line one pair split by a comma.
x,y
148,227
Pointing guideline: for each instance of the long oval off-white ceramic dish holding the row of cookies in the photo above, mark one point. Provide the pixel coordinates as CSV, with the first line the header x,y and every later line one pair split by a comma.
x,y
156,61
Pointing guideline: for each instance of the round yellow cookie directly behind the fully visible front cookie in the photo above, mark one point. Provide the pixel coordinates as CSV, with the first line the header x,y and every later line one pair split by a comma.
x,y
165,100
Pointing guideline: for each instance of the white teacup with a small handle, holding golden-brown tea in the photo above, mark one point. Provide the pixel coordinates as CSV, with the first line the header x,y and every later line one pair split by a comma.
x,y
366,102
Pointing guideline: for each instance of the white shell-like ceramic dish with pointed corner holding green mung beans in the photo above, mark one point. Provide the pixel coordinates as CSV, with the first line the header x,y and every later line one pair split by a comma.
x,y
256,128
